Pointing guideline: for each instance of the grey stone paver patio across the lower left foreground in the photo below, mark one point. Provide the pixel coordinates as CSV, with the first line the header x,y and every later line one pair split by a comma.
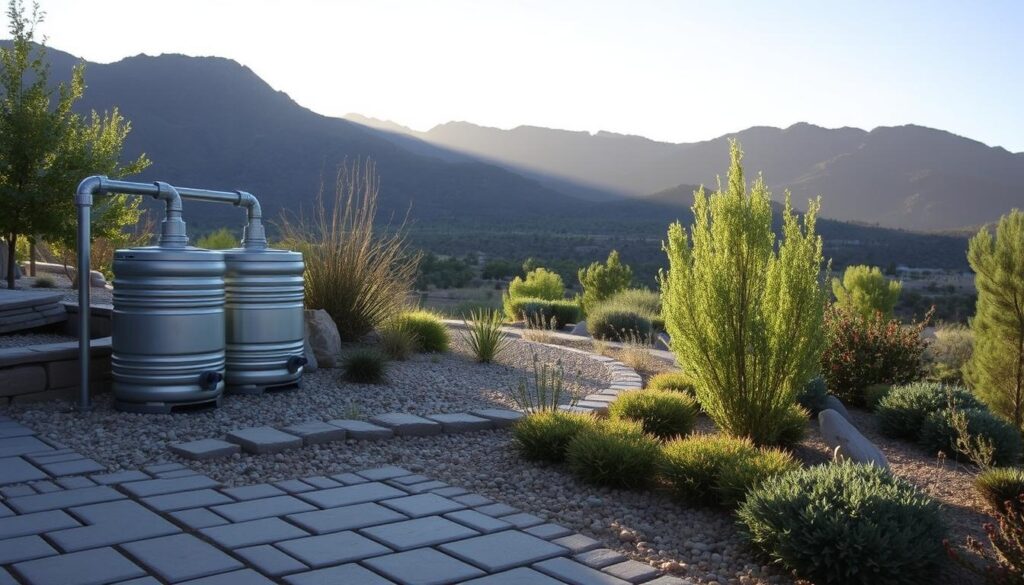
x,y
64,521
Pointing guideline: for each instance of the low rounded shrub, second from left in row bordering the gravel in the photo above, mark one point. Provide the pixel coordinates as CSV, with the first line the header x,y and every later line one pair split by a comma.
x,y
615,453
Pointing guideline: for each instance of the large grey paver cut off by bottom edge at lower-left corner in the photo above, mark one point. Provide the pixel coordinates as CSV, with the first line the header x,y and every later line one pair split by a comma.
x,y
87,568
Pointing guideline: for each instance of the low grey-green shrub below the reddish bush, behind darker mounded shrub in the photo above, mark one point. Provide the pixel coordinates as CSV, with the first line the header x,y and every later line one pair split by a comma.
x,y
904,410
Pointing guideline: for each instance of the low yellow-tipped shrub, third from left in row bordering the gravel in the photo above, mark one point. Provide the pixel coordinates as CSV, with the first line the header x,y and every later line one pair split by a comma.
x,y
693,467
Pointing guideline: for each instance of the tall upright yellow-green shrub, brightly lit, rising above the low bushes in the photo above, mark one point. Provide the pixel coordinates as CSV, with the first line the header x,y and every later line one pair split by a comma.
x,y
745,311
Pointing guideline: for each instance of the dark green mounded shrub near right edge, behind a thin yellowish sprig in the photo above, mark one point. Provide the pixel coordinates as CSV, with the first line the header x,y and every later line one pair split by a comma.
x,y
937,434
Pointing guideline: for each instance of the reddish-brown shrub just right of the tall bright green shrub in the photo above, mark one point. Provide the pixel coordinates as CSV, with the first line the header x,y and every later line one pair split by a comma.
x,y
862,352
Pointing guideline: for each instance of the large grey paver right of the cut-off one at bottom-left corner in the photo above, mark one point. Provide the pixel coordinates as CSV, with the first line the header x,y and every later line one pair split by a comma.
x,y
181,558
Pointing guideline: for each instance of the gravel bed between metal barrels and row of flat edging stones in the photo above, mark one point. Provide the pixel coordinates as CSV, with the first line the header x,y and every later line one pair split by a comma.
x,y
425,385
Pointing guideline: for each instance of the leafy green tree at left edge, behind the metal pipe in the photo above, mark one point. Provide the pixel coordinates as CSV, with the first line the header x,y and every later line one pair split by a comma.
x,y
47,149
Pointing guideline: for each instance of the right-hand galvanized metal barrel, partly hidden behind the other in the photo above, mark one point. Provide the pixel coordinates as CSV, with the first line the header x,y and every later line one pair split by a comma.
x,y
265,319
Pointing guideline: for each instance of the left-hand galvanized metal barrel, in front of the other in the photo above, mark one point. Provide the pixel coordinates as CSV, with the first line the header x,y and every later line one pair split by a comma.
x,y
168,339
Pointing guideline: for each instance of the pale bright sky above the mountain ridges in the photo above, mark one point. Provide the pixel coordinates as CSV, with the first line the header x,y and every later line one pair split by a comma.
x,y
670,71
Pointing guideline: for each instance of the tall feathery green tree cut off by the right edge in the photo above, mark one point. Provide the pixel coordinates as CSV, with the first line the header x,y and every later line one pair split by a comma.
x,y
996,370
